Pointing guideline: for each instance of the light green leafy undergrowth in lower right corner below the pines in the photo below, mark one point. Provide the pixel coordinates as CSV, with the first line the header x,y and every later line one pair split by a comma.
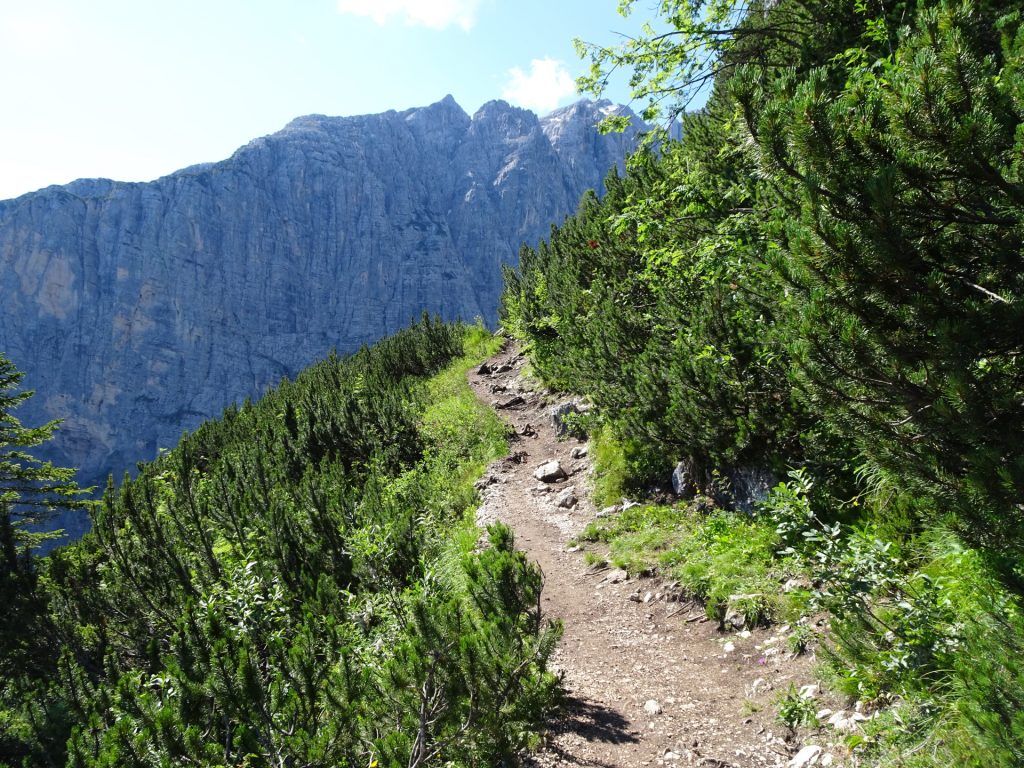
x,y
926,622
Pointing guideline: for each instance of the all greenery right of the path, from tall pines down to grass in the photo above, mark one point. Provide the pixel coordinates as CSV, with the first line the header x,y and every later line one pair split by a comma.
x,y
821,282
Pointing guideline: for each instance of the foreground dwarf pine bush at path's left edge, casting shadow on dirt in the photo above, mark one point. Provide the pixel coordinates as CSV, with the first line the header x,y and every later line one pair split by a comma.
x,y
452,684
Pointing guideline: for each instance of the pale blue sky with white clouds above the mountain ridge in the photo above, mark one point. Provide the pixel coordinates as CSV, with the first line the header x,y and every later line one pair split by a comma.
x,y
135,90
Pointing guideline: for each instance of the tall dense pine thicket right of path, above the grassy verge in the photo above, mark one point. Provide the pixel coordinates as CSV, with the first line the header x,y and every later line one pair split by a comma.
x,y
847,209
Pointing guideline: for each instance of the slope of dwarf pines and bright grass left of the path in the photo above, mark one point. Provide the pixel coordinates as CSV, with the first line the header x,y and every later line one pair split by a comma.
x,y
297,584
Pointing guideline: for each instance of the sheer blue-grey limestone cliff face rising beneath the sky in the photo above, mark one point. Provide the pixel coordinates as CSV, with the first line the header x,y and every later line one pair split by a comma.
x,y
140,310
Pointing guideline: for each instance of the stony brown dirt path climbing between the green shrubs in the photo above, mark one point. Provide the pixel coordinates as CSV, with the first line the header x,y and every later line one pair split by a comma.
x,y
650,682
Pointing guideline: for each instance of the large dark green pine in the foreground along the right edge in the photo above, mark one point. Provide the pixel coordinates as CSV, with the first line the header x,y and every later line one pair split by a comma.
x,y
903,239
